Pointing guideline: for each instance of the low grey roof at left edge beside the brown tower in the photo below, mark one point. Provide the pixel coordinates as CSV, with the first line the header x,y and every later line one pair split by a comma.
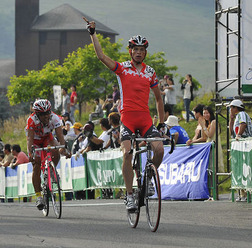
x,y
7,70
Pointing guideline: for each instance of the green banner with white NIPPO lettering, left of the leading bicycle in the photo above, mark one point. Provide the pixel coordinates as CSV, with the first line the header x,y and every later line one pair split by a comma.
x,y
104,169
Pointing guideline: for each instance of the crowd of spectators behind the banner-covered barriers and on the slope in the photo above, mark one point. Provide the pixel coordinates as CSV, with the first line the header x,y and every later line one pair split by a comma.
x,y
82,138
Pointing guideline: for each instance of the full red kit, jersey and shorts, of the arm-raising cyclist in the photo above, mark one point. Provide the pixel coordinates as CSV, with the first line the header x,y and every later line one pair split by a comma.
x,y
134,90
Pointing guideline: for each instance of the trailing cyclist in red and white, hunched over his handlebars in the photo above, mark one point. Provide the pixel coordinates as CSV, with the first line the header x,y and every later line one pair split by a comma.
x,y
39,127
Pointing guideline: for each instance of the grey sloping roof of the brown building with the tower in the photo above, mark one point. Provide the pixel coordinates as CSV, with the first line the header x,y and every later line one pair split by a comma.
x,y
65,17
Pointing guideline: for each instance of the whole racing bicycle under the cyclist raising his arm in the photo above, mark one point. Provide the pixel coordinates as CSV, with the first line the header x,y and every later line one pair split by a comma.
x,y
145,177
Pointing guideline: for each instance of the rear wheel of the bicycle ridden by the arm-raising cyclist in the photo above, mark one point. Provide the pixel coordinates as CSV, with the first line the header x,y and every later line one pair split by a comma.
x,y
133,218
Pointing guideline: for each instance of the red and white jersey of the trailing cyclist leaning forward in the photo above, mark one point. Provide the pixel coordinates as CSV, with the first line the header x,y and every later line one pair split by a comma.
x,y
42,132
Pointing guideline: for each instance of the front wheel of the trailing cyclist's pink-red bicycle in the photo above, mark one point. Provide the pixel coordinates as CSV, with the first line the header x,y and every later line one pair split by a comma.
x,y
55,191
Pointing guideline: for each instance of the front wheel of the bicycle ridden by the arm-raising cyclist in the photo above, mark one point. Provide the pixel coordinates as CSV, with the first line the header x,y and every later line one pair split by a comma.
x,y
153,201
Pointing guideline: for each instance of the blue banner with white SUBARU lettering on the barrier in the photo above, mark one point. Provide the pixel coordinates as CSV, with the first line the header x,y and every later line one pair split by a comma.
x,y
183,174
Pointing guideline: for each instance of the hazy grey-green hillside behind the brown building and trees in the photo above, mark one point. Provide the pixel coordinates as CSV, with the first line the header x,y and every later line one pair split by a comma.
x,y
183,29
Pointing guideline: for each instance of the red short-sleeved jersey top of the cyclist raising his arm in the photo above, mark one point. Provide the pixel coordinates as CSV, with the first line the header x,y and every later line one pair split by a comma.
x,y
135,86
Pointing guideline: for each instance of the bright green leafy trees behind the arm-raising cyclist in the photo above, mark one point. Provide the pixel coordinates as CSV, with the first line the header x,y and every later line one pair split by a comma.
x,y
81,68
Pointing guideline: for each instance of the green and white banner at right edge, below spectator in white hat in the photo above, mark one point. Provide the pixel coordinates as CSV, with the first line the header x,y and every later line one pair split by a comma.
x,y
241,164
